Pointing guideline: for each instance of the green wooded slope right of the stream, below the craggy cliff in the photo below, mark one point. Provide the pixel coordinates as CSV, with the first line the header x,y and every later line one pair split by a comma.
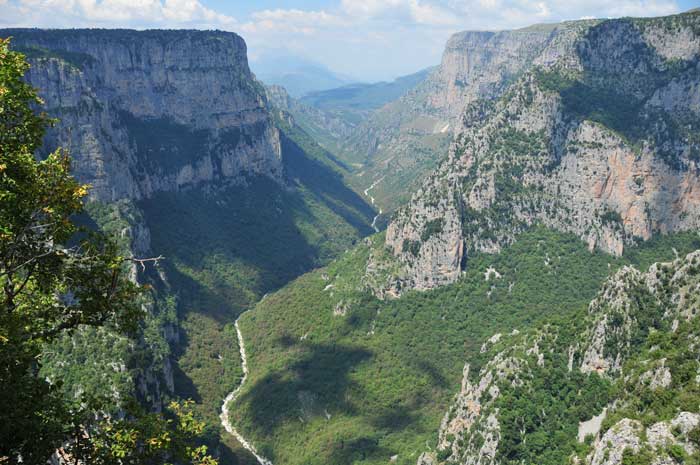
x,y
376,382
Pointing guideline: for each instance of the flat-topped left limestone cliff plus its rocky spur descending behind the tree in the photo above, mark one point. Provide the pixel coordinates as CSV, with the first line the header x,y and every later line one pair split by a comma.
x,y
143,112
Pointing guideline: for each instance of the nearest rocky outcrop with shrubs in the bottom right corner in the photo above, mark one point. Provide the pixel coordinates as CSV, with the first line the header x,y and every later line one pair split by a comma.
x,y
491,412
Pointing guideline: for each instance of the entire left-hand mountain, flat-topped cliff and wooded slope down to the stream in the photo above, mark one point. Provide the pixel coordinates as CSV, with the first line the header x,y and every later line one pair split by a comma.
x,y
188,160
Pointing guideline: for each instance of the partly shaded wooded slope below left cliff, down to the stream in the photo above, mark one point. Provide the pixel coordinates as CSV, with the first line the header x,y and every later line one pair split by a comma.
x,y
227,245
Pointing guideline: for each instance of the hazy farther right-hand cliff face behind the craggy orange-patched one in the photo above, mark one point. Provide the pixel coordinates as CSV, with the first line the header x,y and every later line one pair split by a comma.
x,y
402,142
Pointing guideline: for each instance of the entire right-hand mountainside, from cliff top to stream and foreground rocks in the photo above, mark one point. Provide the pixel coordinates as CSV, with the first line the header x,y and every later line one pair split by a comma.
x,y
535,300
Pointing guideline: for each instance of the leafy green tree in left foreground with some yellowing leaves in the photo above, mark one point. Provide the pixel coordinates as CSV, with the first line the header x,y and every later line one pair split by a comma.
x,y
56,278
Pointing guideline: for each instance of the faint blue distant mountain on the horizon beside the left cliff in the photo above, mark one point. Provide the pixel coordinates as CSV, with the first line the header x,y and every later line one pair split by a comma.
x,y
298,75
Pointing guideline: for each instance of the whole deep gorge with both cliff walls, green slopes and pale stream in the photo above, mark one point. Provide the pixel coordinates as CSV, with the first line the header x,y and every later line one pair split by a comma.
x,y
497,265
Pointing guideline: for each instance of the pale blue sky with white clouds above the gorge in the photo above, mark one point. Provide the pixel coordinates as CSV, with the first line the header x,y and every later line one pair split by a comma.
x,y
366,39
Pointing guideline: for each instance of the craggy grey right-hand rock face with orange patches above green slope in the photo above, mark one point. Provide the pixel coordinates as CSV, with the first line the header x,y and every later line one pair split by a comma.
x,y
598,137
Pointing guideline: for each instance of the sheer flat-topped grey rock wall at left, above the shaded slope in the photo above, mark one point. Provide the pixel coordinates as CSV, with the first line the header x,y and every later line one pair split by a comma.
x,y
151,111
